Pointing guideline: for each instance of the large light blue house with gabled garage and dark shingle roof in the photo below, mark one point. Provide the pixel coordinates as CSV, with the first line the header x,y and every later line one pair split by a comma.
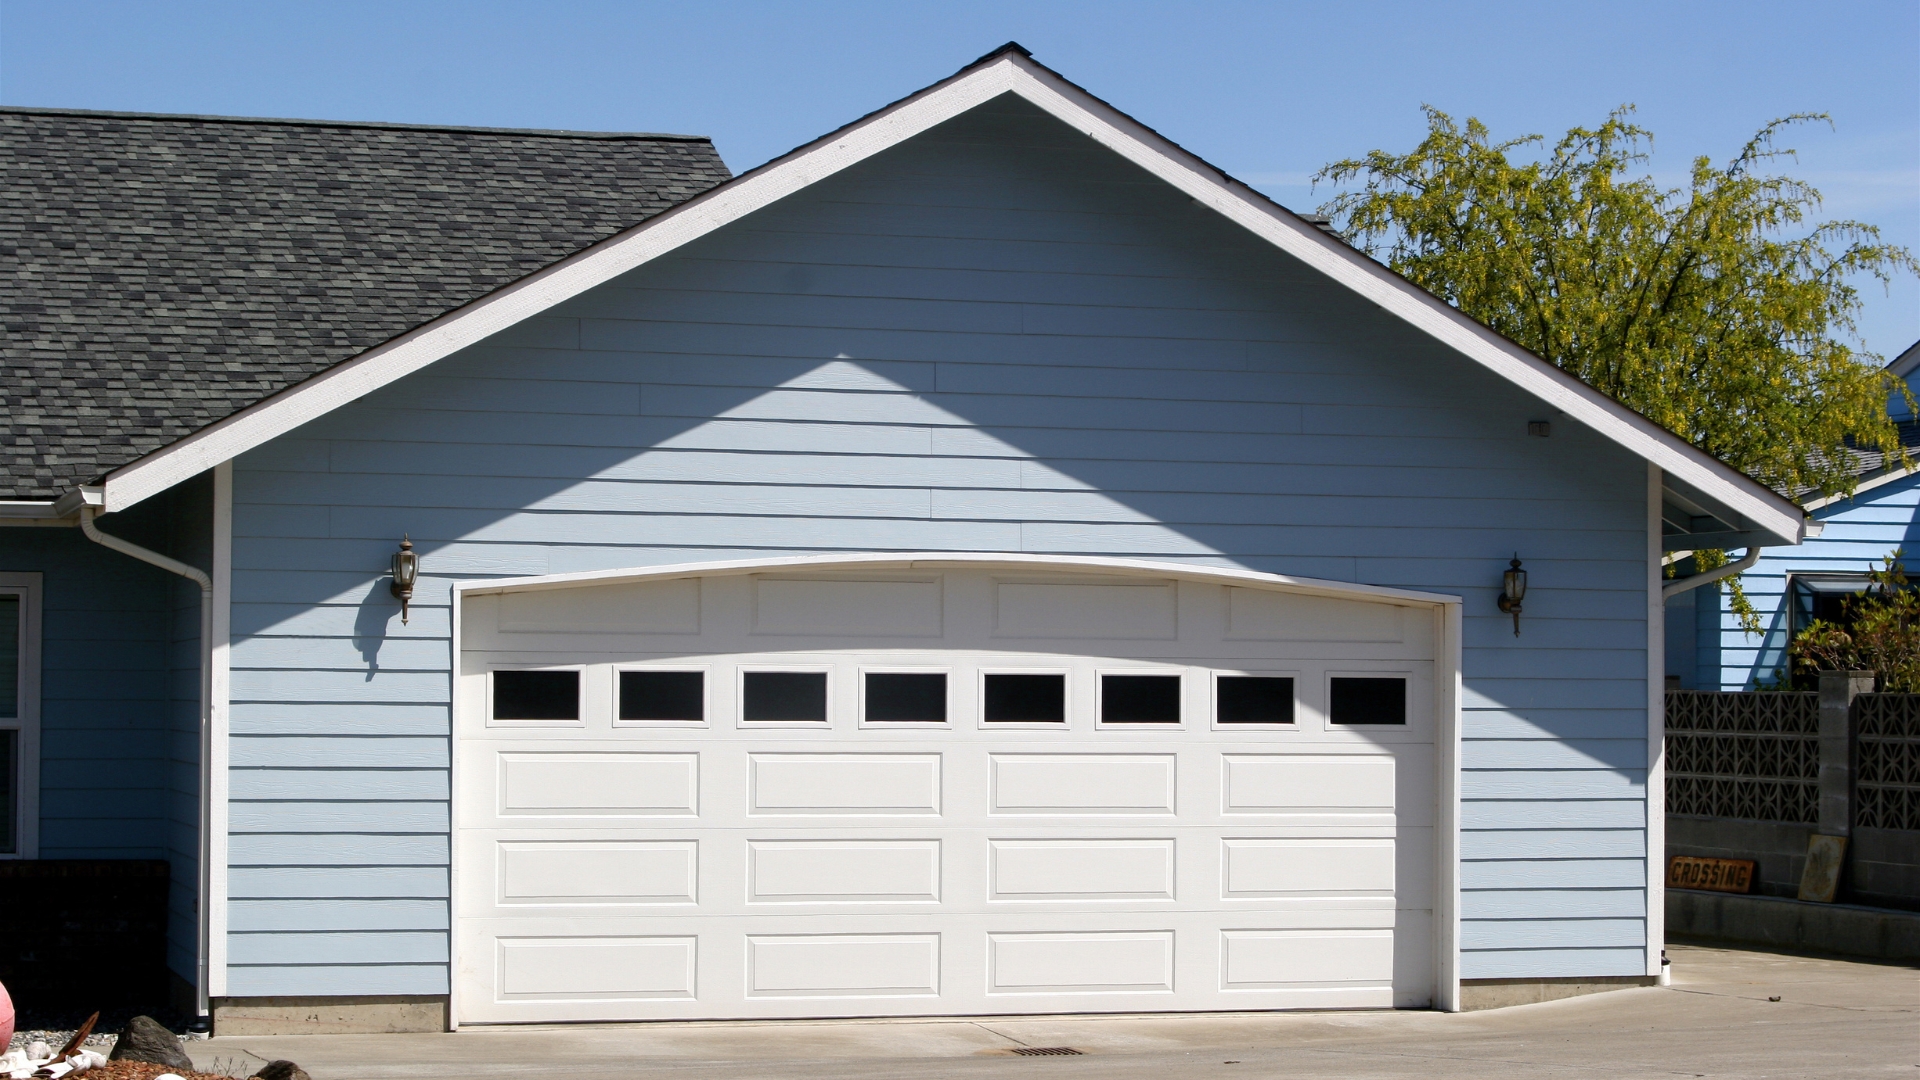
x,y
982,562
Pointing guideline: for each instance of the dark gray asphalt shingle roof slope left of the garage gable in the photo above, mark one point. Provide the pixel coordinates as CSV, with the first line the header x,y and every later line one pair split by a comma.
x,y
168,272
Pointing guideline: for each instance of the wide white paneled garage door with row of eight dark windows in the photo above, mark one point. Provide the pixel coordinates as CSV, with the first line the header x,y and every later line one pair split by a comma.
x,y
940,789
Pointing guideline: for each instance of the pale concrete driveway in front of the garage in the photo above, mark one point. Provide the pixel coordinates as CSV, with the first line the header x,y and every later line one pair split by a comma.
x,y
1835,1019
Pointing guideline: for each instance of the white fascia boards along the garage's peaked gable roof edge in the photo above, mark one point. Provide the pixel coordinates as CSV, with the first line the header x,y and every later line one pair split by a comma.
x,y
999,74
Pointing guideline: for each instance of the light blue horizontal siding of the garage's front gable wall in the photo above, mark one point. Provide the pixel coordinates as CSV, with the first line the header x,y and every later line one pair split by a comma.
x,y
992,339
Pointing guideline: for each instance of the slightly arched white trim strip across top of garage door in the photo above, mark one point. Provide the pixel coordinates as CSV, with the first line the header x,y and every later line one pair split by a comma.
x,y
951,560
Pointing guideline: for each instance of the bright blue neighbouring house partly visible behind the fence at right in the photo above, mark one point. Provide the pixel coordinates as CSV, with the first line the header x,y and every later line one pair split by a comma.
x,y
1706,645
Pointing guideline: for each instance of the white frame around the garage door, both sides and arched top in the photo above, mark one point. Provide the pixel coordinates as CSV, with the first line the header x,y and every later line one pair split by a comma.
x,y
1447,614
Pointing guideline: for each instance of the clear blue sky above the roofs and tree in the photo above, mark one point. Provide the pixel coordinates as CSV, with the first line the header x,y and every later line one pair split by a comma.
x,y
1264,91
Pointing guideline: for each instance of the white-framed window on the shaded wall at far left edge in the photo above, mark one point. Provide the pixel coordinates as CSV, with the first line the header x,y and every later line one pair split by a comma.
x,y
20,714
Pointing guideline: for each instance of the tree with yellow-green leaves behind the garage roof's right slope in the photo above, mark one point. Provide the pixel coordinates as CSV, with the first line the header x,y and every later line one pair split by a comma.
x,y
1714,308
